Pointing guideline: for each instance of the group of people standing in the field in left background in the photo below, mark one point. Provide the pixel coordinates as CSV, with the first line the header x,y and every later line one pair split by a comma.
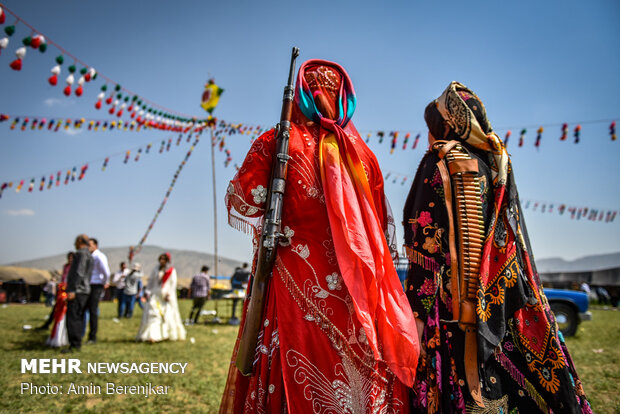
x,y
86,279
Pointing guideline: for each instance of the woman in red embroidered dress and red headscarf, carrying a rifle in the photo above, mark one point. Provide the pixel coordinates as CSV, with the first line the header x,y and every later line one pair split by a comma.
x,y
338,334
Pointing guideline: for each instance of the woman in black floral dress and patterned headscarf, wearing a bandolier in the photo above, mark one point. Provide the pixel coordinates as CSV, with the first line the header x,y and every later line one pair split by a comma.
x,y
523,365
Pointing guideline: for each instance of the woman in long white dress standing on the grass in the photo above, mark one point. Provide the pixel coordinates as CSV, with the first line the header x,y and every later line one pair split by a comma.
x,y
161,319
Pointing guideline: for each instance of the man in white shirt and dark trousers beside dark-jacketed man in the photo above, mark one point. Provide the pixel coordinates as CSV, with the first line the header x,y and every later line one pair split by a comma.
x,y
98,283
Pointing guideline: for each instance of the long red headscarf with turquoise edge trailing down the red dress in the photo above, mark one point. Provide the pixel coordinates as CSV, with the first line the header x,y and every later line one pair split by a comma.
x,y
362,252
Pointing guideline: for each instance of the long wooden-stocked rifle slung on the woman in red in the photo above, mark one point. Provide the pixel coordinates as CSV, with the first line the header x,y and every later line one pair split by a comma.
x,y
271,234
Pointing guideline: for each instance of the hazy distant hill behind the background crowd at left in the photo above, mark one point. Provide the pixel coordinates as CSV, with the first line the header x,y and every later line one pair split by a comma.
x,y
187,262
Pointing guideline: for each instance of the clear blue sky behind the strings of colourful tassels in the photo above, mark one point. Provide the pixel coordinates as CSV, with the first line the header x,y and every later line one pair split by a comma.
x,y
532,63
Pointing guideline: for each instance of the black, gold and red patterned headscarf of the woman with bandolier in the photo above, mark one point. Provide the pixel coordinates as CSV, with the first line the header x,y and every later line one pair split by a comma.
x,y
509,286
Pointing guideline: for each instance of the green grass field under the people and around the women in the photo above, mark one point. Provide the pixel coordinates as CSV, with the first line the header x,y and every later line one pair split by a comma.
x,y
595,351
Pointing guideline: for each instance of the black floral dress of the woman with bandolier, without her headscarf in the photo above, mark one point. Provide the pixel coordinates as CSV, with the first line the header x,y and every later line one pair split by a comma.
x,y
508,386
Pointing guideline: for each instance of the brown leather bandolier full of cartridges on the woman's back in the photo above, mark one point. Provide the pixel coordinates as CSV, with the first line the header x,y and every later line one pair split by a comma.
x,y
461,183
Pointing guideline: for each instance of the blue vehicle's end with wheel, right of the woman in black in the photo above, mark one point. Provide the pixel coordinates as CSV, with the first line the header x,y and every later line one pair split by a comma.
x,y
570,308
